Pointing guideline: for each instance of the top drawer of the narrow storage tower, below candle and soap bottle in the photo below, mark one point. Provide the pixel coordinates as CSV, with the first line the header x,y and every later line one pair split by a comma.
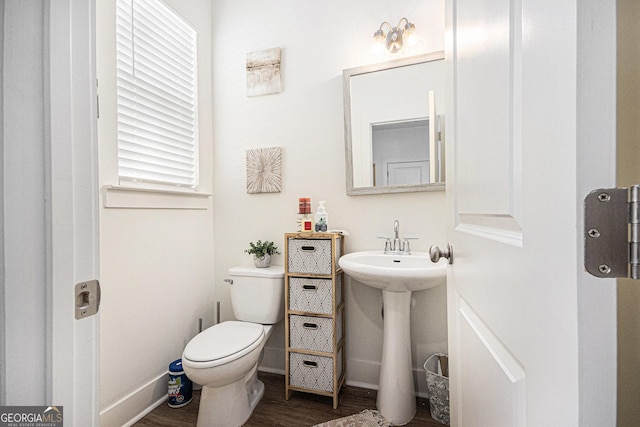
x,y
311,256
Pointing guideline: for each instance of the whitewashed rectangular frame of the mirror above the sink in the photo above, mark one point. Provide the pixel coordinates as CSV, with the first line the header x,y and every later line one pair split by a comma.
x,y
346,88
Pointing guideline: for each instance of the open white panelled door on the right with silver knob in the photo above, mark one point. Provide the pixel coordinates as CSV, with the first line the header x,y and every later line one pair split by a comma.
x,y
530,125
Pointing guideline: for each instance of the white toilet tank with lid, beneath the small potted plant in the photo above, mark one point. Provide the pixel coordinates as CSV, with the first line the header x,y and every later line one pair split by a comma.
x,y
257,294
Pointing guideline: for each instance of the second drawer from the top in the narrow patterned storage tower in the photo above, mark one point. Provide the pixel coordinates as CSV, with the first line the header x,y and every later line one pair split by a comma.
x,y
313,295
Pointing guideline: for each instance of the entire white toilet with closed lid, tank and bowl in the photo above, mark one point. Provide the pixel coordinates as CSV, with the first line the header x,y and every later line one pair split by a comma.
x,y
224,358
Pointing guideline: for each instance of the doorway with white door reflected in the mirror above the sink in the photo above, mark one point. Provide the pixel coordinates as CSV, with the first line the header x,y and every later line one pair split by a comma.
x,y
400,152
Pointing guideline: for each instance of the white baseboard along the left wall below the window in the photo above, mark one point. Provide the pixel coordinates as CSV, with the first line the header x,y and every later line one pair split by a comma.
x,y
135,405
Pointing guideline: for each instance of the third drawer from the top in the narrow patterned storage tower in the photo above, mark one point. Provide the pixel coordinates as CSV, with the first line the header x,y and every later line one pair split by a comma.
x,y
314,333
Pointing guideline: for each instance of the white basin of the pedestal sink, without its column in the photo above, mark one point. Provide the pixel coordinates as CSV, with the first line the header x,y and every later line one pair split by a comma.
x,y
396,273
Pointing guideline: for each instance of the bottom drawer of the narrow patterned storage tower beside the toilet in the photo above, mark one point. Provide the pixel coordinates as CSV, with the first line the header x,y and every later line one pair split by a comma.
x,y
313,372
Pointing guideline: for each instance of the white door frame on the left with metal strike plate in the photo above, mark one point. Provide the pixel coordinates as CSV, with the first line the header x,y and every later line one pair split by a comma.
x,y
74,207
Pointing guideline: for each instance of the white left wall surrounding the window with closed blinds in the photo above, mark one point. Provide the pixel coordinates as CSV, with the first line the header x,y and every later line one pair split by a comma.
x,y
156,264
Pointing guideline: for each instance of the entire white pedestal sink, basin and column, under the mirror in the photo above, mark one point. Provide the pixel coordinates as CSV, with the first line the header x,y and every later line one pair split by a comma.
x,y
397,276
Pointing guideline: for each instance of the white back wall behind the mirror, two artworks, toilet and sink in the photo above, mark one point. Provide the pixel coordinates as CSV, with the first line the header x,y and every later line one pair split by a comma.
x,y
318,41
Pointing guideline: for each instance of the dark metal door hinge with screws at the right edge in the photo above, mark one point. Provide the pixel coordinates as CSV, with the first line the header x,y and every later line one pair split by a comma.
x,y
611,232
